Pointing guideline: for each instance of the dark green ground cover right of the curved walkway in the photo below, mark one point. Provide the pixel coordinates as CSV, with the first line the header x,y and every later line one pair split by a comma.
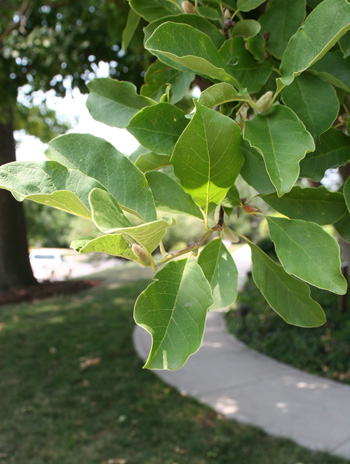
x,y
322,351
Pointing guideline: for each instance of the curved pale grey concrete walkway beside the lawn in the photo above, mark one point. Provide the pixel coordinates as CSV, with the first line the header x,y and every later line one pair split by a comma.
x,y
247,386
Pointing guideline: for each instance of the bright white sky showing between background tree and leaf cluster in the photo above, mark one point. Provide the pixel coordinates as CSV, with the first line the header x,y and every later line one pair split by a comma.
x,y
73,108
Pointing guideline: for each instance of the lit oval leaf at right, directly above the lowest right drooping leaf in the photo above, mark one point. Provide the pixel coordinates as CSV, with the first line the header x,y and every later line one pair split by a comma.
x,y
308,252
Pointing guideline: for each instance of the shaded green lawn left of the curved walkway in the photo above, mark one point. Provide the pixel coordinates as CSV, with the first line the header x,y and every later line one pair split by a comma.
x,y
52,411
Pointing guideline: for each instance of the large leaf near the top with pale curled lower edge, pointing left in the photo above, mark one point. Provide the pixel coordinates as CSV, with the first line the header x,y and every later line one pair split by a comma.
x,y
187,49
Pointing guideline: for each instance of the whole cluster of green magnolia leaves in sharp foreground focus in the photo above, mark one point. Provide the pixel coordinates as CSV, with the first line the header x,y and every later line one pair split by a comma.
x,y
276,109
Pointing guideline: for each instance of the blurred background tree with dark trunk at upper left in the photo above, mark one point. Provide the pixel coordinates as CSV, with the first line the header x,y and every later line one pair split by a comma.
x,y
42,43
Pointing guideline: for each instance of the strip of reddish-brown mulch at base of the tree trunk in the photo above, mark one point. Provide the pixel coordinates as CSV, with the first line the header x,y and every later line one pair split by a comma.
x,y
38,292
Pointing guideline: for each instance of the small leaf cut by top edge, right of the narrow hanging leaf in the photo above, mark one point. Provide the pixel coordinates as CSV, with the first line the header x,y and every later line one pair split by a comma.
x,y
156,8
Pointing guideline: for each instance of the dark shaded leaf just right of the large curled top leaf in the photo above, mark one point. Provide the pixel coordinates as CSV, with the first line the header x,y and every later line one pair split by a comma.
x,y
241,64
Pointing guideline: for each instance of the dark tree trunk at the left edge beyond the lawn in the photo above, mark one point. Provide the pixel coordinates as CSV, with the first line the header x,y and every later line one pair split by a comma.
x,y
15,269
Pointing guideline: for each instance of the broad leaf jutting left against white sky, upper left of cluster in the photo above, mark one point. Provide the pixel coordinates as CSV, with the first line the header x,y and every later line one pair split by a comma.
x,y
113,102
